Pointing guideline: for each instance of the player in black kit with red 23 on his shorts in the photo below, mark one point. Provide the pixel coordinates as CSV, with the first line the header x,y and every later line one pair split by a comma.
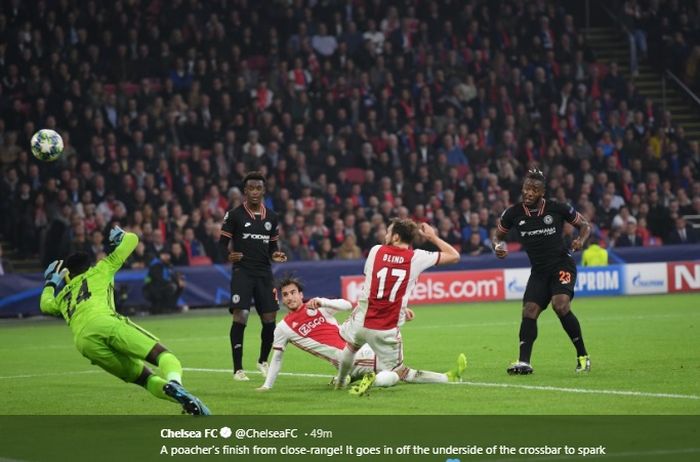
x,y
539,223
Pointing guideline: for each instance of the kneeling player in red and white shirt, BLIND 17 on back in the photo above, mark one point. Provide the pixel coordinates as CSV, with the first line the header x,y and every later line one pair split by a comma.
x,y
391,272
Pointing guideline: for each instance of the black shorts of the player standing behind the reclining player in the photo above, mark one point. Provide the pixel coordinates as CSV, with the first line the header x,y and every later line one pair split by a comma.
x,y
245,287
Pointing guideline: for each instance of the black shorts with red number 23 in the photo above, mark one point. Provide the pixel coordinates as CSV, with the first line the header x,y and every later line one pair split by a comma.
x,y
560,280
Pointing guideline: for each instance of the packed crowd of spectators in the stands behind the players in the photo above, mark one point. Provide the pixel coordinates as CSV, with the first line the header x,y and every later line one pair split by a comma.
x,y
354,110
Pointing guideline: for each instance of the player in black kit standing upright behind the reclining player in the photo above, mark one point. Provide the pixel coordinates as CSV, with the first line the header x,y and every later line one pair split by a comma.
x,y
253,230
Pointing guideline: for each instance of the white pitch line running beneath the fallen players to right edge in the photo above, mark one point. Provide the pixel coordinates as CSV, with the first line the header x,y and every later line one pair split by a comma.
x,y
642,394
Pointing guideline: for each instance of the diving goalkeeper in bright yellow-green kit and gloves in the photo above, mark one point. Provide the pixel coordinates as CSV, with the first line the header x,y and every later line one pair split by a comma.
x,y
84,296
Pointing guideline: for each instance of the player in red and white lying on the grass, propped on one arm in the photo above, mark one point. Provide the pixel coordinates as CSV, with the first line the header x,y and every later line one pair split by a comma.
x,y
312,327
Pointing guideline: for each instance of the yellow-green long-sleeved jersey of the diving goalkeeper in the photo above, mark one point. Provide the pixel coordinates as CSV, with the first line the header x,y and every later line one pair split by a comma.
x,y
91,294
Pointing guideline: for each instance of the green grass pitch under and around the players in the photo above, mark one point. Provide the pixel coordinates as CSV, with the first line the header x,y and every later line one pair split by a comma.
x,y
641,344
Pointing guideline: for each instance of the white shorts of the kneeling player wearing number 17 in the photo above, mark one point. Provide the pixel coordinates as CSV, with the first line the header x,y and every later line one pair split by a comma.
x,y
386,344
